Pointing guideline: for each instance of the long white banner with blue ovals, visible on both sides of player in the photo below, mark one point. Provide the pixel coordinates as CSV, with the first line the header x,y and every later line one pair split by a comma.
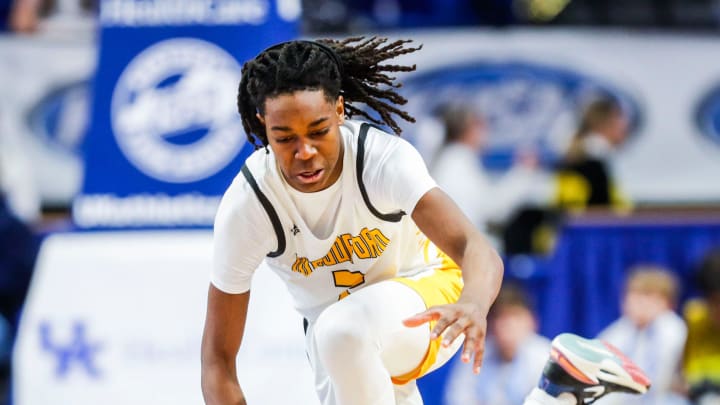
x,y
529,82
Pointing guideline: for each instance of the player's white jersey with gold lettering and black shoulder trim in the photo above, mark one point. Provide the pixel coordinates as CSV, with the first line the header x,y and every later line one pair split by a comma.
x,y
327,244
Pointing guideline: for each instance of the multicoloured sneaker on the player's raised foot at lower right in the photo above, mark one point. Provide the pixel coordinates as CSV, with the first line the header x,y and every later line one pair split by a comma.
x,y
590,369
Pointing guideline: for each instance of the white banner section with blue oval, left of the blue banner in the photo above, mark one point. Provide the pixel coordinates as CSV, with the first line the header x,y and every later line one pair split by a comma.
x,y
43,118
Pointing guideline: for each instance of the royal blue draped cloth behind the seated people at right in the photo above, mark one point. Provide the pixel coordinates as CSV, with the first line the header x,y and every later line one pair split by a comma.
x,y
578,288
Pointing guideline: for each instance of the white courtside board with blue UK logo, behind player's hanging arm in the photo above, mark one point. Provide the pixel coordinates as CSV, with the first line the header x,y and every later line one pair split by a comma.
x,y
116,318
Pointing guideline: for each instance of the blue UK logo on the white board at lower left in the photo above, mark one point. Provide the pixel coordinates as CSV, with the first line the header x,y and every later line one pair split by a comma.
x,y
74,354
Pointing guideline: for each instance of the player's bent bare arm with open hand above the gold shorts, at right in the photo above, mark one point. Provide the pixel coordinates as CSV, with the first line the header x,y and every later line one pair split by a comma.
x,y
446,226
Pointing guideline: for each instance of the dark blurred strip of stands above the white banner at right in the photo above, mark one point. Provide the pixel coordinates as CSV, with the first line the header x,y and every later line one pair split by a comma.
x,y
342,15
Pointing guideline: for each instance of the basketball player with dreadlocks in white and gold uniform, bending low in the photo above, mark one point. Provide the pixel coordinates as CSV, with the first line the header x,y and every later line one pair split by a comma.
x,y
370,249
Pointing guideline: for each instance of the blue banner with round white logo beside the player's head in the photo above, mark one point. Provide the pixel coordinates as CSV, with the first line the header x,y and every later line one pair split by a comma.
x,y
165,138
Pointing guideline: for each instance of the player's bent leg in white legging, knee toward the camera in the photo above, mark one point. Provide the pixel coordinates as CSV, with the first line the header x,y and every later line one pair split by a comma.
x,y
360,342
